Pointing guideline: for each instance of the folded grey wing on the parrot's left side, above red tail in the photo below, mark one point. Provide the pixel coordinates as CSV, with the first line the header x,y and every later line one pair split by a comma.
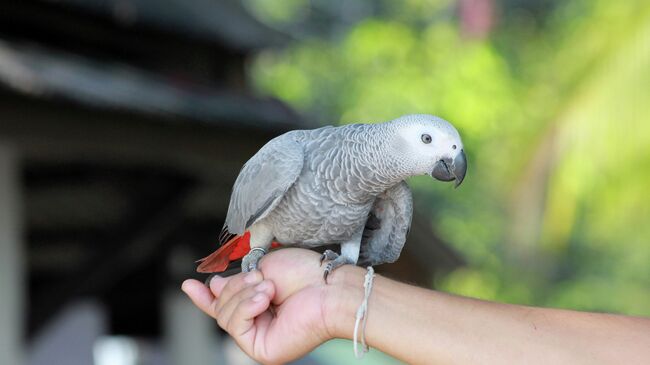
x,y
262,183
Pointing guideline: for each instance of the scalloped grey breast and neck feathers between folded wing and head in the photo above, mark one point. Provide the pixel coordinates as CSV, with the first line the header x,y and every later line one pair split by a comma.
x,y
331,199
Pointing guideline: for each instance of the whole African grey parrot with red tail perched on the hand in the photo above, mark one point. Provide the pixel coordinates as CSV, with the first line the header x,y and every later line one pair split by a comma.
x,y
336,185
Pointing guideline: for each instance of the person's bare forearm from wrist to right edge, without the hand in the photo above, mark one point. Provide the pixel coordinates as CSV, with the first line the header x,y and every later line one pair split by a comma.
x,y
423,326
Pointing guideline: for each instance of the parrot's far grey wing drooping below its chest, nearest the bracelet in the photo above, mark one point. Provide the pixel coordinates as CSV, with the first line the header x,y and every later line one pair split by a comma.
x,y
387,226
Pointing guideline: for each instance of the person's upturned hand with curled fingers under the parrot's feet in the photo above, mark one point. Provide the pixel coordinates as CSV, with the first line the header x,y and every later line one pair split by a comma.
x,y
282,315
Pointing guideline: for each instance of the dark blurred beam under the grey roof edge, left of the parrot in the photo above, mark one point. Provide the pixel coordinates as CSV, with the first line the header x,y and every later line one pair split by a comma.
x,y
61,132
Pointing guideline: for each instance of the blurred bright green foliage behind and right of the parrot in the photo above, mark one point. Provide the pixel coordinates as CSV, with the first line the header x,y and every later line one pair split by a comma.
x,y
556,208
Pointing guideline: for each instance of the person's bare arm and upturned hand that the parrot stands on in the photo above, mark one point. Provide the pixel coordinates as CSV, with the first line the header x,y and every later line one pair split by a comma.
x,y
415,325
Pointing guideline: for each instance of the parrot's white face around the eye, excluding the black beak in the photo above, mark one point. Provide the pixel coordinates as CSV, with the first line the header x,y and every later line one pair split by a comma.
x,y
416,131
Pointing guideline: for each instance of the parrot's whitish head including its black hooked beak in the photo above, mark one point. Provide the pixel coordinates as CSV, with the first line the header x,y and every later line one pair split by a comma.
x,y
430,145
